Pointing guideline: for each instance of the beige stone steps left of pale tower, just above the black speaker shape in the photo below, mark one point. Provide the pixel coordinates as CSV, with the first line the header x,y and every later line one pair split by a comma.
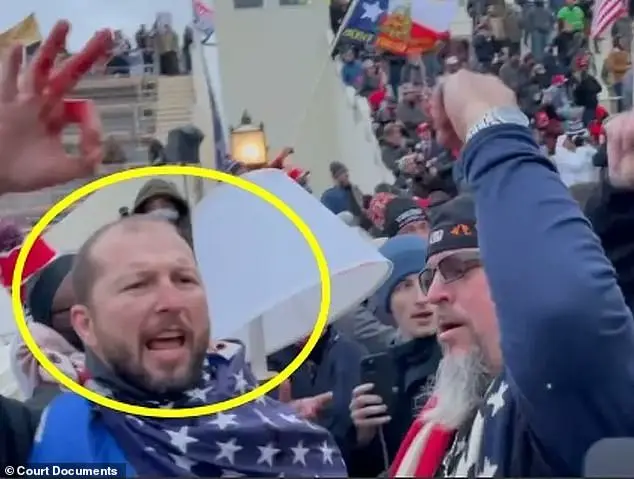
x,y
175,103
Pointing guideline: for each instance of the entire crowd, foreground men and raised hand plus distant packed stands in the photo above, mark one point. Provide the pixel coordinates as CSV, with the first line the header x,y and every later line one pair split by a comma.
x,y
500,345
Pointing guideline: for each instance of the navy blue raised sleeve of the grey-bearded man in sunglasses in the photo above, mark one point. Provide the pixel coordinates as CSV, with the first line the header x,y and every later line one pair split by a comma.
x,y
567,336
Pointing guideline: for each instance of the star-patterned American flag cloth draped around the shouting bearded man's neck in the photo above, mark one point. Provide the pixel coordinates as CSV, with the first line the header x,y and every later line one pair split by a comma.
x,y
264,438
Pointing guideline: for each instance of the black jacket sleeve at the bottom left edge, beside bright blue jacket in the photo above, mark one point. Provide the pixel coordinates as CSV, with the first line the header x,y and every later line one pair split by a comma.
x,y
18,424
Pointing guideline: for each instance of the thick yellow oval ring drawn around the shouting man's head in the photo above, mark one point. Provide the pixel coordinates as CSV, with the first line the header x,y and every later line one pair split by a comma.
x,y
47,364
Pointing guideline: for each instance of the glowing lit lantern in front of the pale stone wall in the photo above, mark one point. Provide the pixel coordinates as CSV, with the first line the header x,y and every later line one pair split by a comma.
x,y
248,143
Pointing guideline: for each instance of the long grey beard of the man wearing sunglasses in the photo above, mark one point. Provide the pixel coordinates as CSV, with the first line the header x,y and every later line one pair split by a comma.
x,y
461,381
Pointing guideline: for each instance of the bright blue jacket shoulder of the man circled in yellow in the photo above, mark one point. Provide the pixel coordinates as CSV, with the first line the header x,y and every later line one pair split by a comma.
x,y
88,440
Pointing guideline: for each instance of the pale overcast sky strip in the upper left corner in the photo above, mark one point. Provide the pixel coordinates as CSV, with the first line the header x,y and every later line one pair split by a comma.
x,y
86,16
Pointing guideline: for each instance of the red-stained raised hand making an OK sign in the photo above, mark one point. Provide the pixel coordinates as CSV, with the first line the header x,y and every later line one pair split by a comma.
x,y
33,114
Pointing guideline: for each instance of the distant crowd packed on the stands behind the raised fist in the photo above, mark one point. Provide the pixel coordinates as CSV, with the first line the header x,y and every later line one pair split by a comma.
x,y
540,50
